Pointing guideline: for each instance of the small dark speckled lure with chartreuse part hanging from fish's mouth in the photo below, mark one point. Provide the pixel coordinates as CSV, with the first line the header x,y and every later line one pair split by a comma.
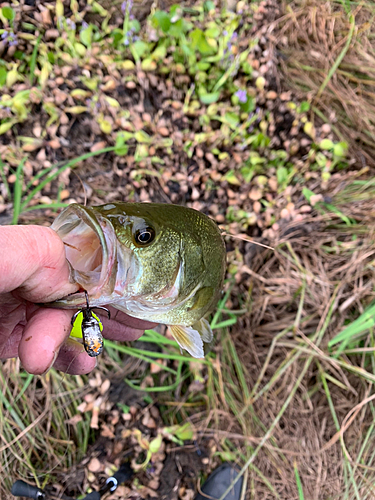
x,y
91,328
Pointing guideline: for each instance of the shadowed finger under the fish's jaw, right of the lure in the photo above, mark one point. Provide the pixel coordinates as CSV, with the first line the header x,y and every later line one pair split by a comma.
x,y
123,327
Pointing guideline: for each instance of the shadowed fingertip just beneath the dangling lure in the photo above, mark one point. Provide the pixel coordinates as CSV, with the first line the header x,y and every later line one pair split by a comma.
x,y
73,359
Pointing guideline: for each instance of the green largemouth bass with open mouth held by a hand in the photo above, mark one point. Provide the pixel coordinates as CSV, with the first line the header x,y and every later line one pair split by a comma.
x,y
157,262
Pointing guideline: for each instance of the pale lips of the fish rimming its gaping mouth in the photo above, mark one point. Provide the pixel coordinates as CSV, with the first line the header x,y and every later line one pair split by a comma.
x,y
96,286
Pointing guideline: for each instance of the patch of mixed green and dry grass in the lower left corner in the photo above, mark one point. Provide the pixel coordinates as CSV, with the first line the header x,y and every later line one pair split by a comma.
x,y
35,437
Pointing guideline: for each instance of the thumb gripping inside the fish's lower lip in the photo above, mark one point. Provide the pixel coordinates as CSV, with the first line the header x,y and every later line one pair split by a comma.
x,y
33,260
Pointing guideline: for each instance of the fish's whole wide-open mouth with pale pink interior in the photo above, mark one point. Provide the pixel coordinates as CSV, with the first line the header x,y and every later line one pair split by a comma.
x,y
91,250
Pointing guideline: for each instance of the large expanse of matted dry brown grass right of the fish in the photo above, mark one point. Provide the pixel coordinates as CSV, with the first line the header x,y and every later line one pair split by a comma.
x,y
319,278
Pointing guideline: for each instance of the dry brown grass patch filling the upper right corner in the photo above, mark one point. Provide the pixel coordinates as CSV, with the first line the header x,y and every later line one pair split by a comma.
x,y
312,36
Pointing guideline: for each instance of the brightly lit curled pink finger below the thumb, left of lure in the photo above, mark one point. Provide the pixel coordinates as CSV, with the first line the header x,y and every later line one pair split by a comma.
x,y
44,333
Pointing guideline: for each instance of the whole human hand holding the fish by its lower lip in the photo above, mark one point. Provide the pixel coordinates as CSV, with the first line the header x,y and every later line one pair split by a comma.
x,y
33,269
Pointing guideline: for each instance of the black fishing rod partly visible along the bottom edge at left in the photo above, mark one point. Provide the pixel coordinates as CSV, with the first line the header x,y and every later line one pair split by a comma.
x,y
22,489
